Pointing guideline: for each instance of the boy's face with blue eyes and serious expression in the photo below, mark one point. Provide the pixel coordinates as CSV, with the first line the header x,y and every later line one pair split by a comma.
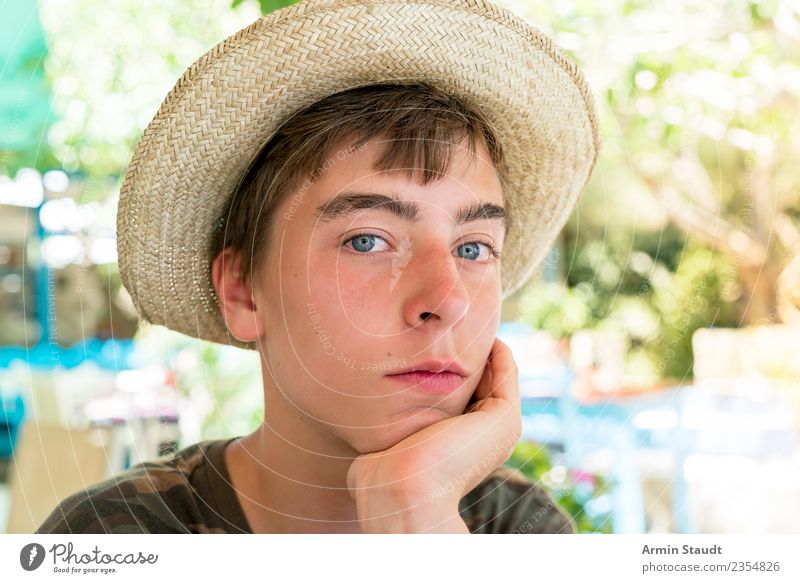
x,y
338,315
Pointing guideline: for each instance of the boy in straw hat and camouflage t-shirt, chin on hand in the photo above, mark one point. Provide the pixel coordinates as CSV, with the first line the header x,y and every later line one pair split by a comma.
x,y
319,189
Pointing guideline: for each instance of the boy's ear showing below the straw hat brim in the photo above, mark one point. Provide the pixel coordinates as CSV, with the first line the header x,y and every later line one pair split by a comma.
x,y
239,310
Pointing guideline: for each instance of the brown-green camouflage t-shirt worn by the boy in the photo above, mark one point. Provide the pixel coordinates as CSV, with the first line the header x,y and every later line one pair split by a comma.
x,y
190,491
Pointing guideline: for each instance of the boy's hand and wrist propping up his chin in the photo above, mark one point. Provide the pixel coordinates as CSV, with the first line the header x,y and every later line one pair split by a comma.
x,y
416,484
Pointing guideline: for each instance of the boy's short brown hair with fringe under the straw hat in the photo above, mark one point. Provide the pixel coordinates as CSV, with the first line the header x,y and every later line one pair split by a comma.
x,y
420,121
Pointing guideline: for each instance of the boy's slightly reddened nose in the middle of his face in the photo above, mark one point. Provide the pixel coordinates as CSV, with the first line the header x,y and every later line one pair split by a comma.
x,y
436,294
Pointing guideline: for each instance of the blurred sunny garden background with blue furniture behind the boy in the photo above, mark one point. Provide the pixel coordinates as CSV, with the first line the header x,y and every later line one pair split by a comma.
x,y
658,345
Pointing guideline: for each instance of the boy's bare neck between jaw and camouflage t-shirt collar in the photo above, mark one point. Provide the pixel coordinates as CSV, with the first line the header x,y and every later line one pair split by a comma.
x,y
290,474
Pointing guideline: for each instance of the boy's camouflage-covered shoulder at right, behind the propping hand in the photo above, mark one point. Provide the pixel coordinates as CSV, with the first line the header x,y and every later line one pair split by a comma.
x,y
507,502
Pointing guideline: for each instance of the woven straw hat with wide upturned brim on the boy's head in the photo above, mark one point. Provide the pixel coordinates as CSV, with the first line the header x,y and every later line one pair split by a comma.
x,y
229,102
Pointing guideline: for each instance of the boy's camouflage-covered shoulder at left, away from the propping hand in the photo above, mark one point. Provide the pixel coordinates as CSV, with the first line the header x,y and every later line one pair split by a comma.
x,y
152,497
